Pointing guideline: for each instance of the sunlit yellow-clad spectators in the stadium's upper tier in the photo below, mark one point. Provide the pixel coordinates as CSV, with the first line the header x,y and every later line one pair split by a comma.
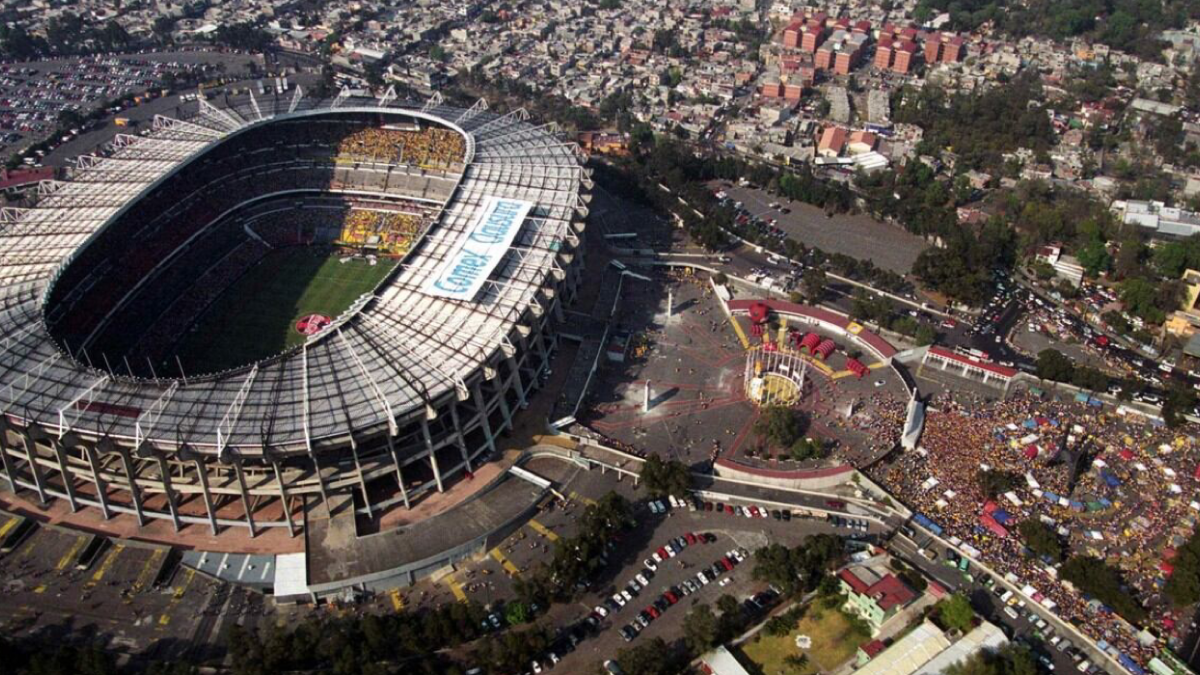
x,y
428,148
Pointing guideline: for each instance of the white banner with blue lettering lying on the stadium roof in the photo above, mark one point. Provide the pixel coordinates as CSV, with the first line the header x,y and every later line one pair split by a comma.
x,y
481,250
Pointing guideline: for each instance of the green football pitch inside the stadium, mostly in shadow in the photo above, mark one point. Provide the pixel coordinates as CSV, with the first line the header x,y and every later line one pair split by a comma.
x,y
256,318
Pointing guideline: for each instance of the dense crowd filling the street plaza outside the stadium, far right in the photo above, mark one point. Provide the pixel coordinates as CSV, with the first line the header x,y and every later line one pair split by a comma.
x,y
1117,488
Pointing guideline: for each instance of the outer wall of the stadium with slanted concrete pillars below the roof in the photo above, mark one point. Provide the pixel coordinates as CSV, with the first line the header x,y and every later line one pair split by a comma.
x,y
452,435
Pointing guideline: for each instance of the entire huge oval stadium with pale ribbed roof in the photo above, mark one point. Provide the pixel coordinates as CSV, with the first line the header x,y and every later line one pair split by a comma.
x,y
283,300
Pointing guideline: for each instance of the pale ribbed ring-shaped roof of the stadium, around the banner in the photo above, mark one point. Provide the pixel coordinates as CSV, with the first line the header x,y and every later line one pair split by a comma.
x,y
389,363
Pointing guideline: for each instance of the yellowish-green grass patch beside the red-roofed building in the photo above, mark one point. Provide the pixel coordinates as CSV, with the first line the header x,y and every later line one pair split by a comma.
x,y
835,642
